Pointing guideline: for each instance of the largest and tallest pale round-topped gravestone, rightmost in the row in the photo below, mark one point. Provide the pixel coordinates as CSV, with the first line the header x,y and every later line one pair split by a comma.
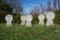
x,y
50,16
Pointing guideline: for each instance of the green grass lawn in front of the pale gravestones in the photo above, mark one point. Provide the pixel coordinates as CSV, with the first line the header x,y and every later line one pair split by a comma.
x,y
36,32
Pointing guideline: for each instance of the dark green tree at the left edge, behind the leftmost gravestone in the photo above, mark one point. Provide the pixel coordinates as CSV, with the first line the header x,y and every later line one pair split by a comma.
x,y
4,10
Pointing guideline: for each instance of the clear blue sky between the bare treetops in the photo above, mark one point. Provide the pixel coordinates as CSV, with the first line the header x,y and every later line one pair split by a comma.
x,y
29,4
